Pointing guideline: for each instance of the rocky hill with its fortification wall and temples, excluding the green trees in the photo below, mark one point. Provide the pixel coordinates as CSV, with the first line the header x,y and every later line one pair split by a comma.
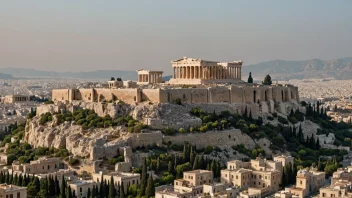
x,y
213,87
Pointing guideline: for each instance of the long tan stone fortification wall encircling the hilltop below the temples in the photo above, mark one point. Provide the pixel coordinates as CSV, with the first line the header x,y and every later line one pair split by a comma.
x,y
220,94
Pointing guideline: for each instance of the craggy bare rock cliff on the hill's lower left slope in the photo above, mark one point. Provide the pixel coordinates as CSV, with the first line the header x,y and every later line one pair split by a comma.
x,y
68,136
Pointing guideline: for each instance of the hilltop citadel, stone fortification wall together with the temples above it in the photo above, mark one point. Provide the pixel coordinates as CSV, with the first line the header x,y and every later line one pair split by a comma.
x,y
208,82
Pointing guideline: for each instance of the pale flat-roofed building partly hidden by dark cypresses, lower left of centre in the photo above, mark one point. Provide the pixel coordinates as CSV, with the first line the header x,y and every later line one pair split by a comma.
x,y
120,178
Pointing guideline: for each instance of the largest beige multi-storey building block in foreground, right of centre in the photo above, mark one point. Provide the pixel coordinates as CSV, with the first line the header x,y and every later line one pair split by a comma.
x,y
258,175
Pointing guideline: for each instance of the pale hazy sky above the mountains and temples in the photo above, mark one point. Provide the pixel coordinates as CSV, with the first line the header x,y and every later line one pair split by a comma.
x,y
86,35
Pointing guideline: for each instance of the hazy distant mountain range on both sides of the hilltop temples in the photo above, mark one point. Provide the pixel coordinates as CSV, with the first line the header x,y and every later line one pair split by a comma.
x,y
278,70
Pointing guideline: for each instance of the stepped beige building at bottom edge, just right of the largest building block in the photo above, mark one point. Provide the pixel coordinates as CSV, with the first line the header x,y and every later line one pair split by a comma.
x,y
307,181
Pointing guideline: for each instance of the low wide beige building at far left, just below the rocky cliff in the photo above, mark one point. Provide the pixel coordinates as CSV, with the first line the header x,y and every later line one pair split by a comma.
x,y
43,165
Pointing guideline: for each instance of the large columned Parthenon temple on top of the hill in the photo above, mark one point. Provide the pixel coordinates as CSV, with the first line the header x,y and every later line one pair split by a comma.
x,y
197,71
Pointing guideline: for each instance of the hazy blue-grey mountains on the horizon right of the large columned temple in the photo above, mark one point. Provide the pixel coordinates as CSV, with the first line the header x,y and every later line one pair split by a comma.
x,y
314,68
